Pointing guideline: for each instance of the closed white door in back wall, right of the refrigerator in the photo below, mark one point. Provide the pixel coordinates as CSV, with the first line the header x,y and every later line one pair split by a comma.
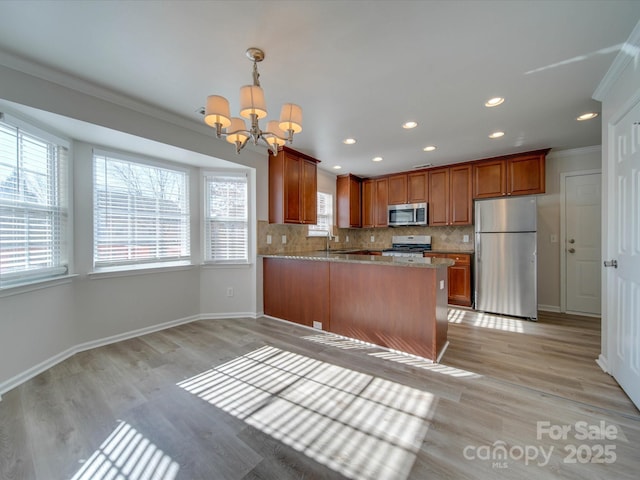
x,y
583,242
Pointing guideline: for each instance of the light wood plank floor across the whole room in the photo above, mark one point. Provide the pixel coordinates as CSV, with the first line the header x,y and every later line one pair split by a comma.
x,y
262,399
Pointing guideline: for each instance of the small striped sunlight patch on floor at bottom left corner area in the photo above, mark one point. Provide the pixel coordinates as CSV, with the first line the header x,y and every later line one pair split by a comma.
x,y
128,455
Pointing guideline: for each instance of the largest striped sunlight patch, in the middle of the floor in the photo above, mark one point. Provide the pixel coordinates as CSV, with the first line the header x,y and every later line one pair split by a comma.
x,y
356,424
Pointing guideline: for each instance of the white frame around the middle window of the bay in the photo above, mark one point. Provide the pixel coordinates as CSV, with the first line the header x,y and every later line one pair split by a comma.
x,y
144,265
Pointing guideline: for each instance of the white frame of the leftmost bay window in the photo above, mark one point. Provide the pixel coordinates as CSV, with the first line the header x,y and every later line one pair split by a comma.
x,y
61,183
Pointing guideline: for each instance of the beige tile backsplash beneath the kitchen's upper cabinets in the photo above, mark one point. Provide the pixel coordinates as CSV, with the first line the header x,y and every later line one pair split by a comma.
x,y
442,238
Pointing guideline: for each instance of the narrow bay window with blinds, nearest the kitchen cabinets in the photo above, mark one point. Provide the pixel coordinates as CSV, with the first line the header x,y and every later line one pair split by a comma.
x,y
226,218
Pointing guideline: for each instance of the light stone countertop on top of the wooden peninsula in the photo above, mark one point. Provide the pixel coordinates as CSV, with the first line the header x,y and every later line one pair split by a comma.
x,y
346,257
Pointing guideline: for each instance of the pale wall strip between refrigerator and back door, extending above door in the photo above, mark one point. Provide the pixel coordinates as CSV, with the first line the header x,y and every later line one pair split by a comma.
x,y
557,163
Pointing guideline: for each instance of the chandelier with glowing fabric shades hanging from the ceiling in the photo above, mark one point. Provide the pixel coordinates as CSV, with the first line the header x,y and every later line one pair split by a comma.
x,y
252,107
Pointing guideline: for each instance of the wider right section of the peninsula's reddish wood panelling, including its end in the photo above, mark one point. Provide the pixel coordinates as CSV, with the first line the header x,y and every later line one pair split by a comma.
x,y
395,307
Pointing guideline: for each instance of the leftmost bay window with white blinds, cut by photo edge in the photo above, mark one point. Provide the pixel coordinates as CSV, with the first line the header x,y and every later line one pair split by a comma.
x,y
33,204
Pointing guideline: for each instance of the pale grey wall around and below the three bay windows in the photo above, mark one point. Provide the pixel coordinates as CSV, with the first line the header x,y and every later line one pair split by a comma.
x,y
40,327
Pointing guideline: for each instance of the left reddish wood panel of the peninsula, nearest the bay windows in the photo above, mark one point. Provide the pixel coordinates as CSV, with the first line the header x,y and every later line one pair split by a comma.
x,y
297,290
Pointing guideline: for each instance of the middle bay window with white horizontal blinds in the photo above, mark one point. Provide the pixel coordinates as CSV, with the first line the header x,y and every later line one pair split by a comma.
x,y
141,212
